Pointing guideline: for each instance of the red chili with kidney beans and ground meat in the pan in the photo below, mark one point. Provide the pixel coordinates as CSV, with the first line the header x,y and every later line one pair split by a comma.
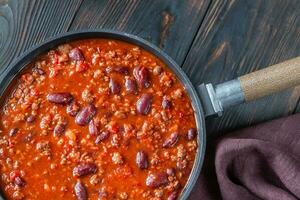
x,y
96,119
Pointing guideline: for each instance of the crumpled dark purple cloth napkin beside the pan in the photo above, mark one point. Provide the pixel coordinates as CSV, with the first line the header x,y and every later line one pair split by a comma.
x,y
260,162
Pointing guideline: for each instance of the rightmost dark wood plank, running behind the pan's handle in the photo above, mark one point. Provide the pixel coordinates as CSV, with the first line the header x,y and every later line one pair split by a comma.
x,y
240,36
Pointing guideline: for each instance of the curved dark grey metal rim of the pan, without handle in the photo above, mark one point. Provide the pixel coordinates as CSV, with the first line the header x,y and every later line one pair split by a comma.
x,y
17,66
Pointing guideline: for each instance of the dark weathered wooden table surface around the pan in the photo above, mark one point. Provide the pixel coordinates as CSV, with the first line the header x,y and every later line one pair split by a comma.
x,y
212,40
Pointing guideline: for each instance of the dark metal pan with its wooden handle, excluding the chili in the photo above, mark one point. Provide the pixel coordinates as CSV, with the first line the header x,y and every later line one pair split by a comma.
x,y
207,100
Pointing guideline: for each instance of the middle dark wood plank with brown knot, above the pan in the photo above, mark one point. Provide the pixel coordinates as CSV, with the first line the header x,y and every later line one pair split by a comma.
x,y
169,24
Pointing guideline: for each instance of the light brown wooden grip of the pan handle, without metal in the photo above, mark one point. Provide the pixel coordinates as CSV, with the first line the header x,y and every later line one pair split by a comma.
x,y
271,79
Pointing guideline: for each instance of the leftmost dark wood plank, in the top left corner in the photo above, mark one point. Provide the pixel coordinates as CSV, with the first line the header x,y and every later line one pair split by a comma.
x,y
28,22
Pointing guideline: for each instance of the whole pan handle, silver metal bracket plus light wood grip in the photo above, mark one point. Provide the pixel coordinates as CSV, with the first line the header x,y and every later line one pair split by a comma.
x,y
250,86
